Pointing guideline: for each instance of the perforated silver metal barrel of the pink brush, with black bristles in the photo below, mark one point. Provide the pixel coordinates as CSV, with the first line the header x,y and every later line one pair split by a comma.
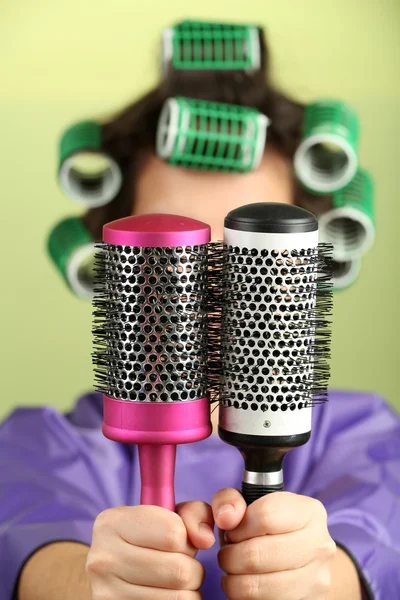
x,y
150,323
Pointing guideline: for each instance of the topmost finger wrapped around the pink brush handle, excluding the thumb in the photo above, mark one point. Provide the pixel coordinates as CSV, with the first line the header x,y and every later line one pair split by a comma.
x,y
154,527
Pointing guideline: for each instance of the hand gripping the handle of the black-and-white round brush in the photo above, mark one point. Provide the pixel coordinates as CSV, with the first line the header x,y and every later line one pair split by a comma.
x,y
279,547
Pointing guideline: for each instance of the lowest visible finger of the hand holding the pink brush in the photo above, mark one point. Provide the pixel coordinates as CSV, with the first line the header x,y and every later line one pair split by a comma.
x,y
126,591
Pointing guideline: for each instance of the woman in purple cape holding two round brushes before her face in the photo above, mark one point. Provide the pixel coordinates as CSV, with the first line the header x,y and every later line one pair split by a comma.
x,y
71,524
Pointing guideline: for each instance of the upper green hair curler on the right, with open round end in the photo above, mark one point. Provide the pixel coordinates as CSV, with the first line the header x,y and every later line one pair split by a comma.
x,y
326,160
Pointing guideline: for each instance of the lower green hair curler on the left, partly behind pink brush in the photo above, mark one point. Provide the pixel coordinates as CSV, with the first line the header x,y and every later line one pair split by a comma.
x,y
72,250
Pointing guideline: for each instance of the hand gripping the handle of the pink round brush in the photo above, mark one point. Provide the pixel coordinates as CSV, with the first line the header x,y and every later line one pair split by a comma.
x,y
148,553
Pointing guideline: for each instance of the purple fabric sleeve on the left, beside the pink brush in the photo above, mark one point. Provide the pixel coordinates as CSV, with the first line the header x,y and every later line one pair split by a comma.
x,y
54,481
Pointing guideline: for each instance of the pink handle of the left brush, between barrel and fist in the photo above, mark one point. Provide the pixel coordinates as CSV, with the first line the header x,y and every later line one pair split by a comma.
x,y
157,471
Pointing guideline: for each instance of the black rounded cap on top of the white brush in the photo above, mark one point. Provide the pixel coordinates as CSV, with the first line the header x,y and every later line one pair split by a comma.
x,y
271,217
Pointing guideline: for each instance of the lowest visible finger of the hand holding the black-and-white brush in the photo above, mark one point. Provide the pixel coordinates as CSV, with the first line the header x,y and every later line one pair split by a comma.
x,y
308,582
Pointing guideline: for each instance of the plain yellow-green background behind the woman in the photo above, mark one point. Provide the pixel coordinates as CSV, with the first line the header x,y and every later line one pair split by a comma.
x,y
65,61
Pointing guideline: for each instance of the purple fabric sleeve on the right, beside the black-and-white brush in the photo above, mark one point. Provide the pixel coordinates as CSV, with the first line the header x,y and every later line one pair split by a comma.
x,y
353,468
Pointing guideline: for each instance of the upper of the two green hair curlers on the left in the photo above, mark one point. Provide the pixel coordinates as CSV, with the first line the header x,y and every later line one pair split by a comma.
x,y
85,173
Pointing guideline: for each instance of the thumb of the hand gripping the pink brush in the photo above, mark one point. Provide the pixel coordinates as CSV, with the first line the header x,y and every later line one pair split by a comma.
x,y
198,519
